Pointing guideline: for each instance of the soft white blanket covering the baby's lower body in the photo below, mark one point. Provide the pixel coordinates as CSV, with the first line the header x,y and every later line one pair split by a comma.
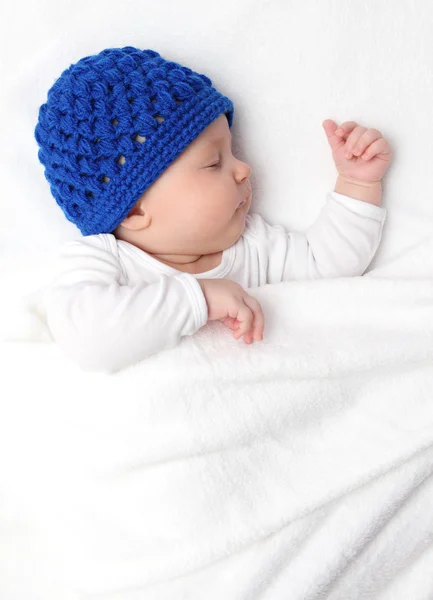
x,y
296,468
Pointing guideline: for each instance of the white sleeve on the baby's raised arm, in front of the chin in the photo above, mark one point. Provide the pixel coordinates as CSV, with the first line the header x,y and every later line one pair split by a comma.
x,y
340,243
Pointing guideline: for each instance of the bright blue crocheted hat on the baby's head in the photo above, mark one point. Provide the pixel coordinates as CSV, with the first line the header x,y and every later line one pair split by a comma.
x,y
112,123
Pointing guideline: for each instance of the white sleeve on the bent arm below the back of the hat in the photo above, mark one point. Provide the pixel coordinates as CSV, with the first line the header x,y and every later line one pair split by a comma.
x,y
104,325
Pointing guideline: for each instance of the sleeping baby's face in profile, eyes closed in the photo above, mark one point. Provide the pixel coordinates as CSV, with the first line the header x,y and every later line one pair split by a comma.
x,y
199,204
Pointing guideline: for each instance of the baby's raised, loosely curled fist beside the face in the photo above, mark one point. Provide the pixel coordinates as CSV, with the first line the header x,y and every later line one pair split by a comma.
x,y
358,152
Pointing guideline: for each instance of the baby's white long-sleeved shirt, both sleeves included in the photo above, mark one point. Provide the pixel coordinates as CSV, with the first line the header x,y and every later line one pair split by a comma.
x,y
111,304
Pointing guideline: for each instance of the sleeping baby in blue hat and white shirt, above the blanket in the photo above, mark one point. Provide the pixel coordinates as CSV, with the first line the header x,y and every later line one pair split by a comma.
x,y
138,154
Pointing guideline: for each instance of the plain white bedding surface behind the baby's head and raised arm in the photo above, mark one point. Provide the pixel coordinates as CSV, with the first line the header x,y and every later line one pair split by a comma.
x,y
287,66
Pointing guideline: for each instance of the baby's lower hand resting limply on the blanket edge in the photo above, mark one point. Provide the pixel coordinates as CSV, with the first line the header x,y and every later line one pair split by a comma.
x,y
229,303
